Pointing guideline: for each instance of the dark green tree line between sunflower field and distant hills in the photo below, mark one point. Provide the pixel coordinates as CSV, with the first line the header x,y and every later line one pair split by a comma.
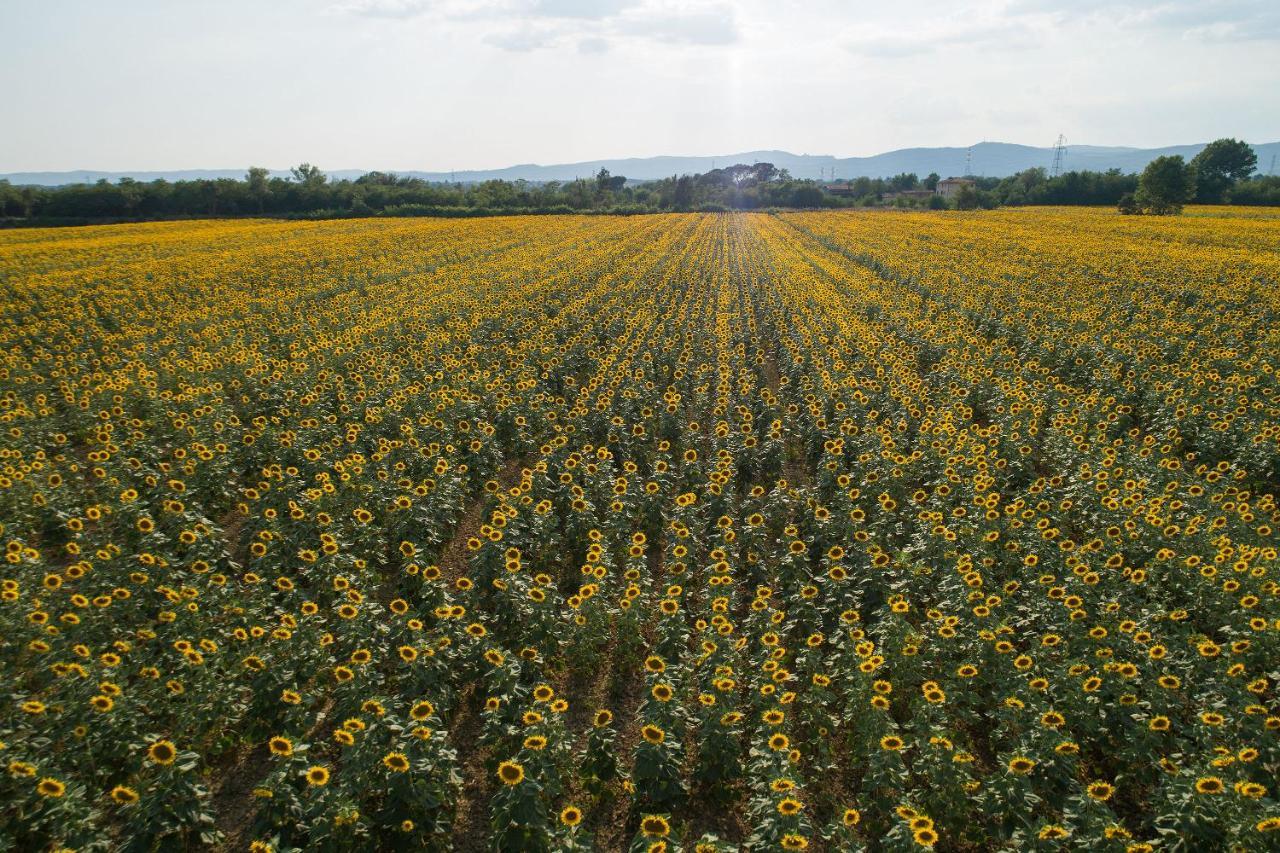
x,y
1224,172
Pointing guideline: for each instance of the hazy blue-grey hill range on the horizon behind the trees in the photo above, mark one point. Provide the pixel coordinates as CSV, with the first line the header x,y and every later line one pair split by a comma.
x,y
993,159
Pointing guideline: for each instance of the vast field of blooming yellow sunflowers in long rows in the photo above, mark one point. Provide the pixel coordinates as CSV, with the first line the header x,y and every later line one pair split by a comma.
x,y
813,531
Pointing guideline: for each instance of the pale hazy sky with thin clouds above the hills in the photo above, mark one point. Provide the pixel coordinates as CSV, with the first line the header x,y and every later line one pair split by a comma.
x,y
441,85
